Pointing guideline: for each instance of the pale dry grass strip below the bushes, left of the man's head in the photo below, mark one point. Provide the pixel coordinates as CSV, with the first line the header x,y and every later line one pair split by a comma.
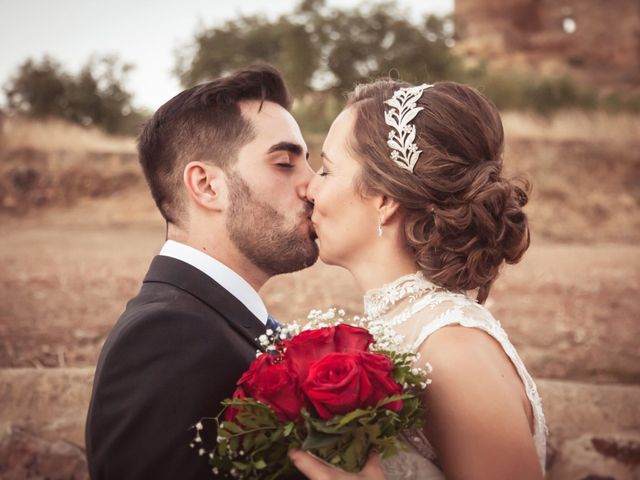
x,y
18,133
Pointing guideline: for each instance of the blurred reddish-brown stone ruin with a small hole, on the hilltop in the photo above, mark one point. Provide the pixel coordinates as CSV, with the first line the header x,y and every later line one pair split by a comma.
x,y
597,41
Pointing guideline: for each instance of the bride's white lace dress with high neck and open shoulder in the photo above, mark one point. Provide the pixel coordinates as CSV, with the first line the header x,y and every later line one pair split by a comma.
x,y
412,308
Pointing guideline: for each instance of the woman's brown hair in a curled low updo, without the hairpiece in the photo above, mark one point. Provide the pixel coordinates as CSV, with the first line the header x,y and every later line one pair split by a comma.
x,y
463,219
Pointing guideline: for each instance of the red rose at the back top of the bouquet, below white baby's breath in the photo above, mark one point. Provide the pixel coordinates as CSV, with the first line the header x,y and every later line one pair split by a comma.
x,y
312,345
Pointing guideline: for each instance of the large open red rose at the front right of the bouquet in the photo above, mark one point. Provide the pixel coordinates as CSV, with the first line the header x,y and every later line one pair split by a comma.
x,y
342,382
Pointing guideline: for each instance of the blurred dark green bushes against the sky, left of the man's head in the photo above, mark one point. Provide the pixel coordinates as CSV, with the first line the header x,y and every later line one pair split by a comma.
x,y
95,96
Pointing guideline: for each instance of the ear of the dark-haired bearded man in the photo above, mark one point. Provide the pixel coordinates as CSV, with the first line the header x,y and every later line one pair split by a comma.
x,y
205,185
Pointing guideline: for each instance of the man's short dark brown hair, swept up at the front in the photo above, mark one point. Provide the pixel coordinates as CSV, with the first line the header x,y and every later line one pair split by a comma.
x,y
203,123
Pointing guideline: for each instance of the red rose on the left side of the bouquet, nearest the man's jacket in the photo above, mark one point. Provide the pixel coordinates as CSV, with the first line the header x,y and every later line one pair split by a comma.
x,y
269,381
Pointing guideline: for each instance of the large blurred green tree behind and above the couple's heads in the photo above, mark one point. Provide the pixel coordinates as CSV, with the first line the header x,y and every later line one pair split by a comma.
x,y
322,48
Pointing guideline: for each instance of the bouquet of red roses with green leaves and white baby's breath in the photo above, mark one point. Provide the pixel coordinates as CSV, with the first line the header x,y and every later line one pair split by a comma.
x,y
331,390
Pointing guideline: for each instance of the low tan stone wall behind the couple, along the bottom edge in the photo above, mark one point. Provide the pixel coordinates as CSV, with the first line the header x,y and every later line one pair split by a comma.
x,y
42,413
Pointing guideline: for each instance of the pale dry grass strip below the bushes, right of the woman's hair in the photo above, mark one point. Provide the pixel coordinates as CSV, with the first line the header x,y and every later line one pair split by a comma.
x,y
573,125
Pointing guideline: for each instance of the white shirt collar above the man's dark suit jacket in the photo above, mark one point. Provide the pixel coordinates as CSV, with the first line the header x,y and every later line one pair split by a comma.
x,y
227,278
